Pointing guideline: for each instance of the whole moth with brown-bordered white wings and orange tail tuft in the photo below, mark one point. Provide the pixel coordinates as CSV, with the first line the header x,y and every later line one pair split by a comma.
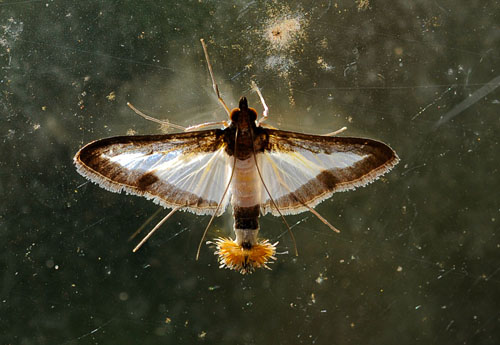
x,y
244,162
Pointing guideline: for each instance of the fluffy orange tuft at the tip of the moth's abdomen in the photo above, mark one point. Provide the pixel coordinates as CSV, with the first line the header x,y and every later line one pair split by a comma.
x,y
243,257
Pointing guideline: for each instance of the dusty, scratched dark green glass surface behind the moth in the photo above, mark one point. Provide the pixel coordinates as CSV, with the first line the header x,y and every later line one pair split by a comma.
x,y
417,259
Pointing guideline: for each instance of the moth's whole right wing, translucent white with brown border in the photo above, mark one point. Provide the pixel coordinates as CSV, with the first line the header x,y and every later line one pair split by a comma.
x,y
306,169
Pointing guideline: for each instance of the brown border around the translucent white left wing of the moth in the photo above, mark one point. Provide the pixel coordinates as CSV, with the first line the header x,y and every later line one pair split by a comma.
x,y
92,161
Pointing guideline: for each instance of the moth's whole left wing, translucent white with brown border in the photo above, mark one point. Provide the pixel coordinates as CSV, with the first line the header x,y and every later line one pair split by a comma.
x,y
190,169
